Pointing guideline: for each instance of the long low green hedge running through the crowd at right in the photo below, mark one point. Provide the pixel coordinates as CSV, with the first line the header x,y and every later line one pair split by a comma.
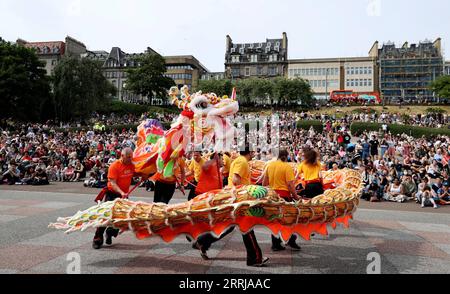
x,y
417,132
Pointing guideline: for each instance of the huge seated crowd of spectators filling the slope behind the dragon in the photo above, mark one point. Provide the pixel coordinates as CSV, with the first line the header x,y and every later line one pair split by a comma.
x,y
394,167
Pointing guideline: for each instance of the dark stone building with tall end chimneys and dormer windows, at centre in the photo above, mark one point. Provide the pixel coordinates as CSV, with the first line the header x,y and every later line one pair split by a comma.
x,y
267,59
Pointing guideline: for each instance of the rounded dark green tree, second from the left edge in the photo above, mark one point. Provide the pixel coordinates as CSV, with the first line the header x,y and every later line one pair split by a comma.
x,y
79,88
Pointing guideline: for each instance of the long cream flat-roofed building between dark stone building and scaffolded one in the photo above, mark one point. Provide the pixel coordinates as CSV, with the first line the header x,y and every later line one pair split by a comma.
x,y
357,74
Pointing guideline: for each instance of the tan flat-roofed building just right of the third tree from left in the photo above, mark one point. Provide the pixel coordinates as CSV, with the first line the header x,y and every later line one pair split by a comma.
x,y
185,70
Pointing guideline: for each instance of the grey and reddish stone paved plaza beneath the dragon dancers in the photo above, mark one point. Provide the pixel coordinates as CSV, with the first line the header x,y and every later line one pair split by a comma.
x,y
409,240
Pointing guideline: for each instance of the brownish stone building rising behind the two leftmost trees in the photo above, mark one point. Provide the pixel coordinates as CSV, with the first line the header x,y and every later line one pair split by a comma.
x,y
51,52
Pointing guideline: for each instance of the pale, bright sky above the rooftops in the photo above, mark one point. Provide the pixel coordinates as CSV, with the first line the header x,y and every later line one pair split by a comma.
x,y
315,28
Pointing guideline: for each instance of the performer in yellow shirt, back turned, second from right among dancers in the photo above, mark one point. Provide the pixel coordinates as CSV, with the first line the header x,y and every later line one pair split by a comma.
x,y
280,176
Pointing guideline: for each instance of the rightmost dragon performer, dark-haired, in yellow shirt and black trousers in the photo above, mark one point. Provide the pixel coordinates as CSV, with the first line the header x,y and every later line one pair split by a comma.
x,y
311,170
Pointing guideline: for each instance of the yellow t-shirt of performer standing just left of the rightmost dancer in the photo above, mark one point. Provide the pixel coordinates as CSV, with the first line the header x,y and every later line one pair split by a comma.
x,y
280,173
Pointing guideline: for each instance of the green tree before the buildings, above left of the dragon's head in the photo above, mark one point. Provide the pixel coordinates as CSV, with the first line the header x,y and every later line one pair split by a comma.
x,y
148,79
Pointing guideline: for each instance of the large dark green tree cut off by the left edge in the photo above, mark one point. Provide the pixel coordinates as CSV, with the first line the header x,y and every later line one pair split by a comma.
x,y
24,86
